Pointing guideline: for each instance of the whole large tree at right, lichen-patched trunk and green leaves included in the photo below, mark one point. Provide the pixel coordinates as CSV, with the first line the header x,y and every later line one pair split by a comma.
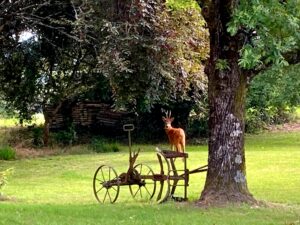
x,y
246,37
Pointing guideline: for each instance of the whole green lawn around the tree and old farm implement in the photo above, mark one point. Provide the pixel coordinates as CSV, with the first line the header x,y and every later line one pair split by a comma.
x,y
58,189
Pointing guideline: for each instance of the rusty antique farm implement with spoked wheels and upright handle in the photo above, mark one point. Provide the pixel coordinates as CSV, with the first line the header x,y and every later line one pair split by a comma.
x,y
142,181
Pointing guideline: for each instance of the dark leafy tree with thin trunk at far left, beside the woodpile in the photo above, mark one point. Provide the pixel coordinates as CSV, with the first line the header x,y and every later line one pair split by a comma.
x,y
53,66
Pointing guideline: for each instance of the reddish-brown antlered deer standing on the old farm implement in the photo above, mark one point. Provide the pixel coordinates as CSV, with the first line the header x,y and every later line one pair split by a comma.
x,y
176,135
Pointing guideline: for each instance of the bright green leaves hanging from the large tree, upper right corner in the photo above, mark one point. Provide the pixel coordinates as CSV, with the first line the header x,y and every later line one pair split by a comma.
x,y
272,28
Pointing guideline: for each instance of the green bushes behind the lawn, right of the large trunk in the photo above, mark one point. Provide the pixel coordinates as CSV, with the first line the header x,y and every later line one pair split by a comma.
x,y
272,97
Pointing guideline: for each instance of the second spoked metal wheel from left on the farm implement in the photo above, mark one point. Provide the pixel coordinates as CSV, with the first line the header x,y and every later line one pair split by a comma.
x,y
146,185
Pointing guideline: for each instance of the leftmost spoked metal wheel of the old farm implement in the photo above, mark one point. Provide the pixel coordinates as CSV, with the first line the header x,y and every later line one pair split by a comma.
x,y
106,184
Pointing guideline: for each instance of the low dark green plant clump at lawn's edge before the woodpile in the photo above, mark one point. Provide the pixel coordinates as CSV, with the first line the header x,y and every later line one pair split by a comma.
x,y
101,145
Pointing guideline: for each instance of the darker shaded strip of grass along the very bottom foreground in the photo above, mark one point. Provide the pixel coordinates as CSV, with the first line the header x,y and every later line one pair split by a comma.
x,y
142,214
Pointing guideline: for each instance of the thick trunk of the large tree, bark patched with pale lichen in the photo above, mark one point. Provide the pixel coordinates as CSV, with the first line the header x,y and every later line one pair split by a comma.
x,y
226,177
